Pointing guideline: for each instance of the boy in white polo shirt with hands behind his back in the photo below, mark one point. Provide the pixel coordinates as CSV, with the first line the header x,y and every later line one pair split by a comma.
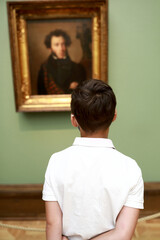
x,y
91,190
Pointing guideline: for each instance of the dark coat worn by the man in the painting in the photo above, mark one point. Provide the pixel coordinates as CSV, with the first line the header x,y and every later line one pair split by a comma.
x,y
56,75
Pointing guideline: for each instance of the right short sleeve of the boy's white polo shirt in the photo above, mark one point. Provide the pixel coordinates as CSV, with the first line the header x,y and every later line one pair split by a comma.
x,y
135,197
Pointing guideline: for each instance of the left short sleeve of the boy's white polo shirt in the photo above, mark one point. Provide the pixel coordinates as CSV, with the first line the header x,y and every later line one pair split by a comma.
x,y
48,193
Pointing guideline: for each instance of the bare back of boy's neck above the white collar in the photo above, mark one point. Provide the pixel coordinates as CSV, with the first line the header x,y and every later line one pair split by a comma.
x,y
96,134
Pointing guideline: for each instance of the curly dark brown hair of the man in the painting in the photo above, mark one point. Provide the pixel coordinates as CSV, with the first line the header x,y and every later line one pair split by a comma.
x,y
57,33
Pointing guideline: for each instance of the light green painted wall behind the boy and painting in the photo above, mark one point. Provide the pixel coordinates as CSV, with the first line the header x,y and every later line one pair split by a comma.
x,y
27,140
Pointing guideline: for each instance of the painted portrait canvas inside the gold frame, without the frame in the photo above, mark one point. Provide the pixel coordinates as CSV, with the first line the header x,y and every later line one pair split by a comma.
x,y
59,55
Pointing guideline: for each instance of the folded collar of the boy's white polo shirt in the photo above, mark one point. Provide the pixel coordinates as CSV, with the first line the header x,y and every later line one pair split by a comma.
x,y
93,142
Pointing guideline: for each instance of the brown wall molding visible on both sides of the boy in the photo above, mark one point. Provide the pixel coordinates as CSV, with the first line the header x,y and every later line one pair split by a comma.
x,y
25,201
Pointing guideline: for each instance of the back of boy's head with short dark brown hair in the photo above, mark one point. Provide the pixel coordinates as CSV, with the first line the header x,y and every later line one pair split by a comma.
x,y
93,104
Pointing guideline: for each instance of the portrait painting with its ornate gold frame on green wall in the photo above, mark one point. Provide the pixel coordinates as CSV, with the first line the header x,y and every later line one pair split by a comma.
x,y
55,45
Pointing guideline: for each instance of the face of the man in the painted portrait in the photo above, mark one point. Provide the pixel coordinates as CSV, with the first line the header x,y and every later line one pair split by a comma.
x,y
58,46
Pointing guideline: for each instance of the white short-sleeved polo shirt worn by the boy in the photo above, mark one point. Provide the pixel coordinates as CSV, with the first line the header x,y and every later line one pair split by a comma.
x,y
92,181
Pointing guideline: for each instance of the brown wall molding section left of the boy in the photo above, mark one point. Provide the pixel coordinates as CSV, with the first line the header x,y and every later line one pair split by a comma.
x,y
21,202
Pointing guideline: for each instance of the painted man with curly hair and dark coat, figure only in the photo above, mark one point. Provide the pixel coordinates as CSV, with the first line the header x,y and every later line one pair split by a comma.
x,y
59,74
